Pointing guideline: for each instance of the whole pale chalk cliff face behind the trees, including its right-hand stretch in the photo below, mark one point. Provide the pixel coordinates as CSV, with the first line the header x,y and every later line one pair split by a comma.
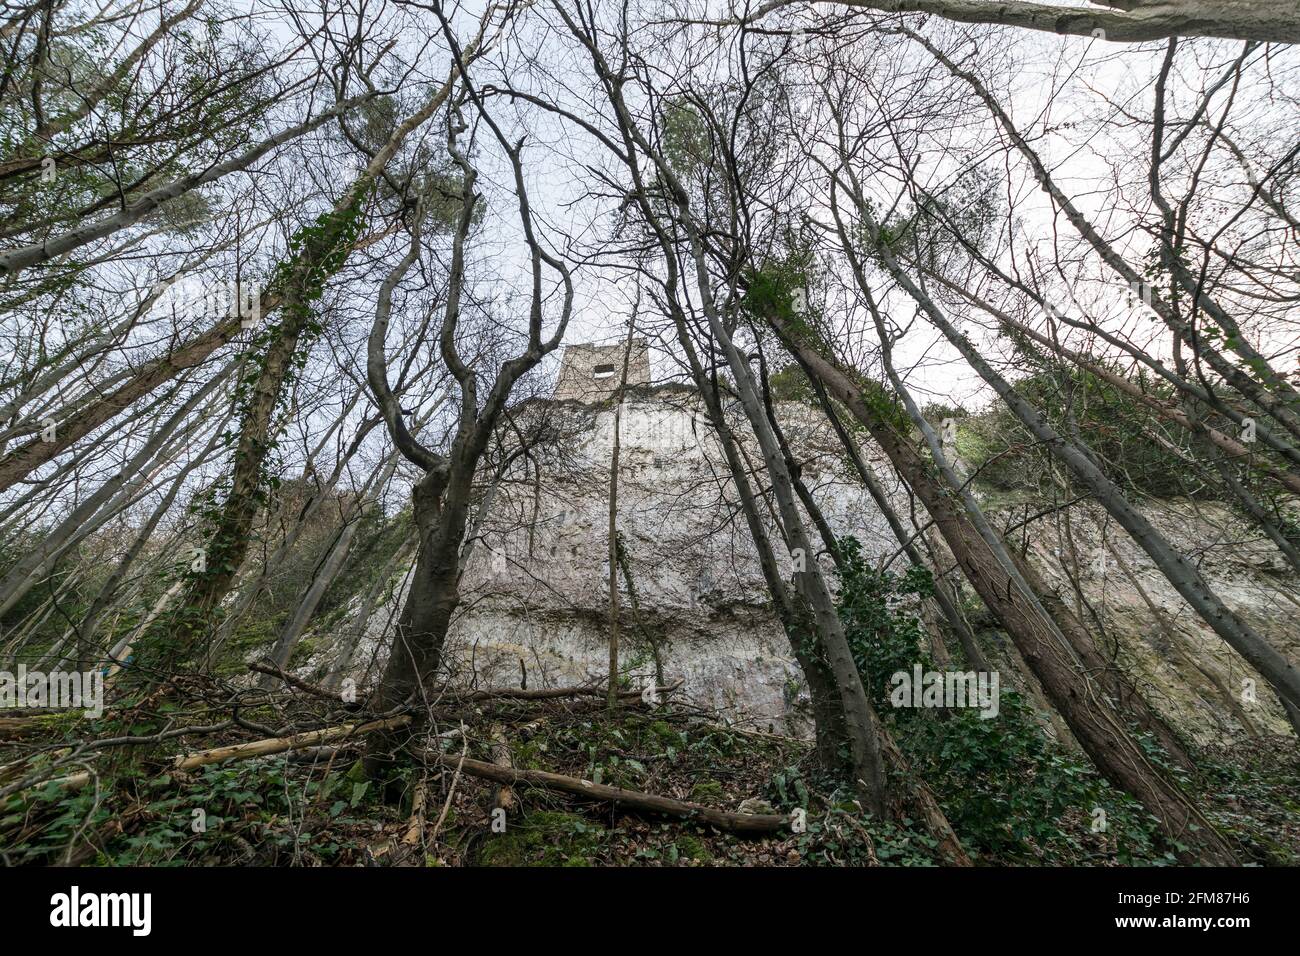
x,y
536,599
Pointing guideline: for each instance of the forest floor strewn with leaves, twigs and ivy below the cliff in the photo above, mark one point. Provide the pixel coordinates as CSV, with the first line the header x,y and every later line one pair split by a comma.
x,y
314,808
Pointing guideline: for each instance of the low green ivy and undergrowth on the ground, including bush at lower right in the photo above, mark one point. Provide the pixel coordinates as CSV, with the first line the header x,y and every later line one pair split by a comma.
x,y
1012,795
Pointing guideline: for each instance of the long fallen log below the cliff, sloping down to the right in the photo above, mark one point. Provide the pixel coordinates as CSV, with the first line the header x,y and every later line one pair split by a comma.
x,y
651,803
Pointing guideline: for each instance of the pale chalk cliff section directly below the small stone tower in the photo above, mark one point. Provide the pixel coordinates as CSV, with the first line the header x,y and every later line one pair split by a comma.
x,y
538,599
